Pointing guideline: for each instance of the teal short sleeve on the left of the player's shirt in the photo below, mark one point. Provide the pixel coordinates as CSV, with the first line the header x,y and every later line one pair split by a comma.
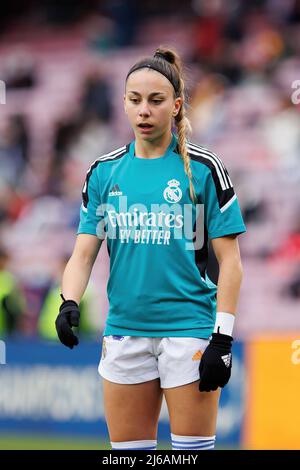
x,y
91,214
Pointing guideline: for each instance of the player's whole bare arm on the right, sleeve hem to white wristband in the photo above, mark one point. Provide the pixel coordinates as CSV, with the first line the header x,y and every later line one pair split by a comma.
x,y
230,274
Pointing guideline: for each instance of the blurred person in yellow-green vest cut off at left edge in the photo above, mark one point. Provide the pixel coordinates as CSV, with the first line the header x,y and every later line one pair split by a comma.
x,y
12,302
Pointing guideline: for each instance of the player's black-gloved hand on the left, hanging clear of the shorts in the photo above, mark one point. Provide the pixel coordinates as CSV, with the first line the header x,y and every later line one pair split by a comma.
x,y
68,316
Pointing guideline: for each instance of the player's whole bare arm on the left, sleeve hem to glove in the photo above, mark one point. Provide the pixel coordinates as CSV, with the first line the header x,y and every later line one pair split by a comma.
x,y
78,269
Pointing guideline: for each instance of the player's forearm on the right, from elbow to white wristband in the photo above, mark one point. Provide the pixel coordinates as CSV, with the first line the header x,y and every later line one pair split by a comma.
x,y
229,284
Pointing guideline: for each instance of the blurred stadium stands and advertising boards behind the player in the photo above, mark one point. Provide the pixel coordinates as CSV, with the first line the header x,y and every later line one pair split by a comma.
x,y
63,65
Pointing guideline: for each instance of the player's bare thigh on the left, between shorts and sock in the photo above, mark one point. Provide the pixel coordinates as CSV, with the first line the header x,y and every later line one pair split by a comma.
x,y
132,410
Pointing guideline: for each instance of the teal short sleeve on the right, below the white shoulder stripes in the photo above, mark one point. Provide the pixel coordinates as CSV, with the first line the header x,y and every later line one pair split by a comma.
x,y
221,208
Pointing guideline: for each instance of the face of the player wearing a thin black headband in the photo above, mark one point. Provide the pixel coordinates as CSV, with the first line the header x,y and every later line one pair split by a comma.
x,y
150,104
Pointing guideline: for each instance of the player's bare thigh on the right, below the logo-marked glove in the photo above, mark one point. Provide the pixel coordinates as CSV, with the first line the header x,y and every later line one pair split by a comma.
x,y
192,413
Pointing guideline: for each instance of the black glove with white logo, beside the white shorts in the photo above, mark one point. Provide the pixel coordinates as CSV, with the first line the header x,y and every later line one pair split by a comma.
x,y
215,364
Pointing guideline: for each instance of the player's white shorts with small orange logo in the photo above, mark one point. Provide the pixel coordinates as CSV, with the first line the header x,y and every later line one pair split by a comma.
x,y
135,359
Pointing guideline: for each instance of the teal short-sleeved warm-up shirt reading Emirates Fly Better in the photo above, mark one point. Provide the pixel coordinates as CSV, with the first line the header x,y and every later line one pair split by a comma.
x,y
158,285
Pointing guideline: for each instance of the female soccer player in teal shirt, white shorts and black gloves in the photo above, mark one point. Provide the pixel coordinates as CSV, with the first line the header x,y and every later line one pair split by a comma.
x,y
159,201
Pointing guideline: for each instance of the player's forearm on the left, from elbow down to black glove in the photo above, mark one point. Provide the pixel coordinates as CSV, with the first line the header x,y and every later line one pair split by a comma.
x,y
76,277
